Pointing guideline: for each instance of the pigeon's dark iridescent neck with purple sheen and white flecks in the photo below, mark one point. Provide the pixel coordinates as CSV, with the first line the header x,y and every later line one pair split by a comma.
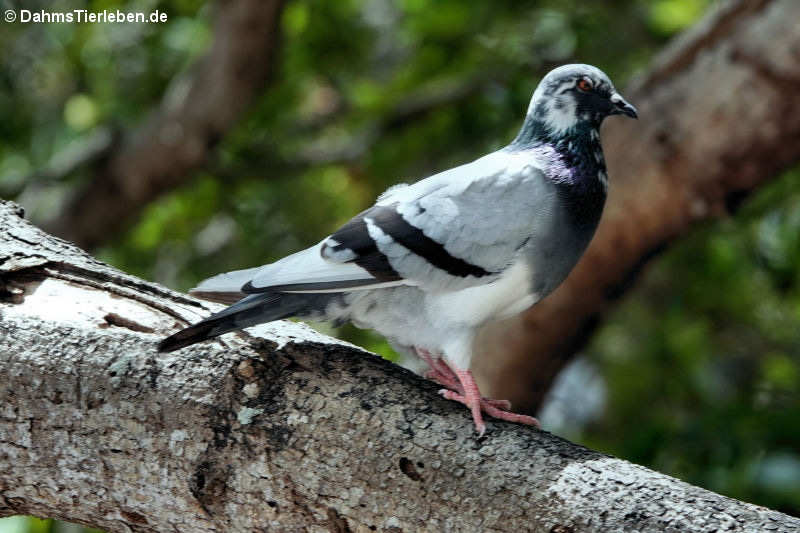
x,y
570,157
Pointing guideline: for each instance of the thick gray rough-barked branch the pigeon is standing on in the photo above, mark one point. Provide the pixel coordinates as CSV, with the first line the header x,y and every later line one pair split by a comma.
x,y
281,429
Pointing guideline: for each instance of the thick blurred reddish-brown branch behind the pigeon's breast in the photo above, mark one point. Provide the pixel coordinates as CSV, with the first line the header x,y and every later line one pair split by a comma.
x,y
718,117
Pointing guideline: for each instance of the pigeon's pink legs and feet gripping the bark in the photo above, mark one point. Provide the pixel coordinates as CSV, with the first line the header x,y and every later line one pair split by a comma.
x,y
461,387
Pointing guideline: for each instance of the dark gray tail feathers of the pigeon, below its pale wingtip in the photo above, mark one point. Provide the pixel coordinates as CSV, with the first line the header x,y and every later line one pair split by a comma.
x,y
251,310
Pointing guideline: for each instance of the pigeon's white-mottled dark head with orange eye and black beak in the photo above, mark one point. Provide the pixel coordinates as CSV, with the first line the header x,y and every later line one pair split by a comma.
x,y
574,95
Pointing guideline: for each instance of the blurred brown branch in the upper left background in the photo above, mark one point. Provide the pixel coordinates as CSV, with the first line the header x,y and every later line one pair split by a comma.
x,y
178,138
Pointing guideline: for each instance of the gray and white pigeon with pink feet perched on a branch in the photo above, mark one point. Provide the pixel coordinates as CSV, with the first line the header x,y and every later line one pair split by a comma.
x,y
432,262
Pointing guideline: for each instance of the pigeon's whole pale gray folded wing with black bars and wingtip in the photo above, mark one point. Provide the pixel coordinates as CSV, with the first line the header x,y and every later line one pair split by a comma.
x,y
460,228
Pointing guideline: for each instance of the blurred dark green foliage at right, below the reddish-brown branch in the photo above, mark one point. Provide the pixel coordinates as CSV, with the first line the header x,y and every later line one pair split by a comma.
x,y
702,362
